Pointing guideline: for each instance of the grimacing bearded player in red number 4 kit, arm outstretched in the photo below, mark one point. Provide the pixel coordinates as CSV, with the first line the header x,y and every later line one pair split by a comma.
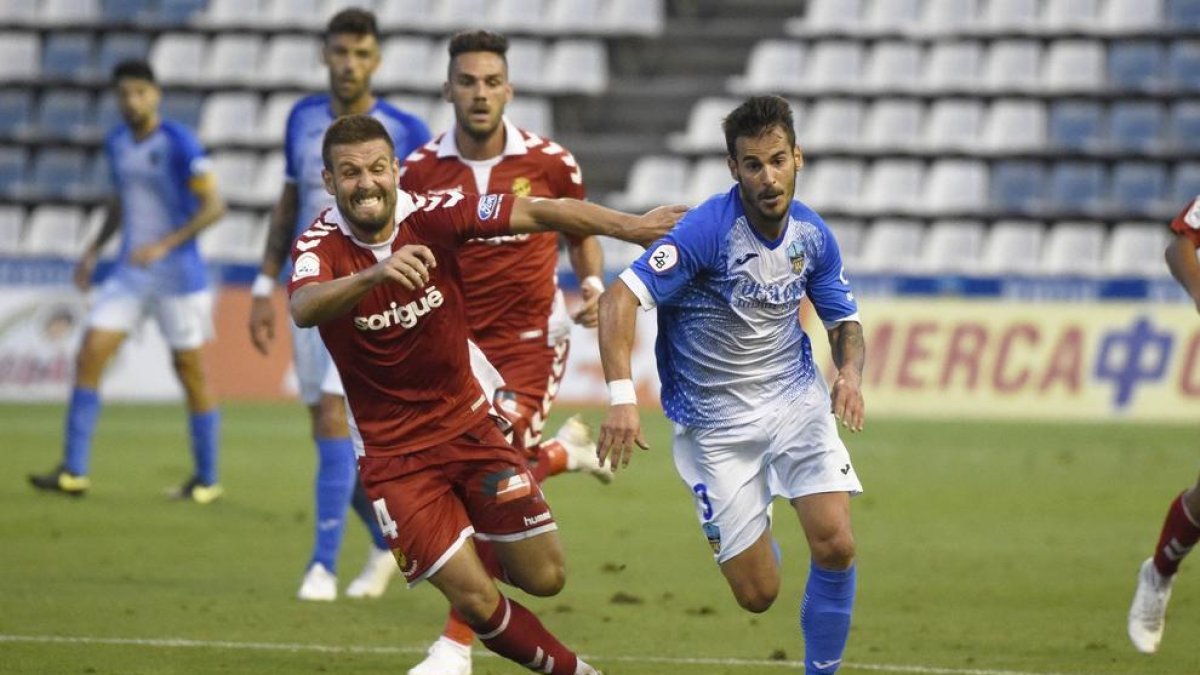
x,y
380,277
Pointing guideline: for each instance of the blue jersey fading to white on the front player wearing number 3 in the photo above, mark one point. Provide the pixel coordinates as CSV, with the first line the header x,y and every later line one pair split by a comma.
x,y
730,339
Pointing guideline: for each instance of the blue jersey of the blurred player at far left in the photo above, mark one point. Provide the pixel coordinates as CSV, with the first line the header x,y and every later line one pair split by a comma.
x,y
153,180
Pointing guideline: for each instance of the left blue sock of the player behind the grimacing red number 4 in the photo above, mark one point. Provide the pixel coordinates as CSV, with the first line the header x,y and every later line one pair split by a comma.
x,y
335,485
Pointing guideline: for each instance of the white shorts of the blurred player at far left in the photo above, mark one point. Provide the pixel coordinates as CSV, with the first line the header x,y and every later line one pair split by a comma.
x,y
185,321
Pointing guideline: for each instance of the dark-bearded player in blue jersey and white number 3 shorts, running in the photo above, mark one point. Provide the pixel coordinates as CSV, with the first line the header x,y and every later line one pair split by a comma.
x,y
754,419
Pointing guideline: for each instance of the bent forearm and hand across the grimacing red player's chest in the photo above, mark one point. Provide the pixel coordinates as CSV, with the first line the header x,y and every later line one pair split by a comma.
x,y
317,303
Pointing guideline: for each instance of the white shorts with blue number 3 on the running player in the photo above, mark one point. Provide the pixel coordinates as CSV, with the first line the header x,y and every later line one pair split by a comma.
x,y
735,473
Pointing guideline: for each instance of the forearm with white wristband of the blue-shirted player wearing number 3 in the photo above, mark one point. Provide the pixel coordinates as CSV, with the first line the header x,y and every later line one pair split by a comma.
x,y
623,427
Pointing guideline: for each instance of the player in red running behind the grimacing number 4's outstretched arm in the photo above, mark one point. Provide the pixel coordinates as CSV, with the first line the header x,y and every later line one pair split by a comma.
x,y
514,307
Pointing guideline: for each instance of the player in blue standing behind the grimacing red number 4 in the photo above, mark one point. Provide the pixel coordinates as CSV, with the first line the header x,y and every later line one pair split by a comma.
x,y
351,52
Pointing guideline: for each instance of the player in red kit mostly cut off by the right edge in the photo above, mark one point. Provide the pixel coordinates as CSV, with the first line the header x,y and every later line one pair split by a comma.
x,y
1181,528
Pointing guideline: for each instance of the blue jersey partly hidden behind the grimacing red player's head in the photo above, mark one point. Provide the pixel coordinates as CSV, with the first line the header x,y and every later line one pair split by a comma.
x,y
302,148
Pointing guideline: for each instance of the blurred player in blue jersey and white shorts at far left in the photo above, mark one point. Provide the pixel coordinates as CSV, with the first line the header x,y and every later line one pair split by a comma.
x,y
166,195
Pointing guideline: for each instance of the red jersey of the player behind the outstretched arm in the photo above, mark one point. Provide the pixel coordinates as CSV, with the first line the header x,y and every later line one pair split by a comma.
x,y
511,282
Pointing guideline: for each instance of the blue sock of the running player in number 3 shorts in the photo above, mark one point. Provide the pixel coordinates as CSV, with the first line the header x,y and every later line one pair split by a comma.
x,y
825,618
